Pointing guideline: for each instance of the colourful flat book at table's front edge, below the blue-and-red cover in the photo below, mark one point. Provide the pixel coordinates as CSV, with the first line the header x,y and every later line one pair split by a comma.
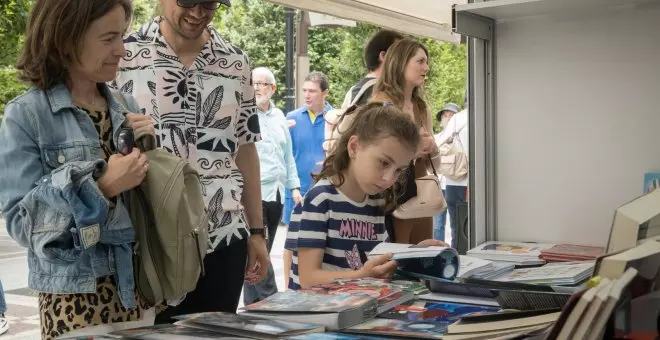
x,y
399,328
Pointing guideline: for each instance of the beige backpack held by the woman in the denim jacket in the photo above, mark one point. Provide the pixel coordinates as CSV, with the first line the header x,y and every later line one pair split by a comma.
x,y
171,226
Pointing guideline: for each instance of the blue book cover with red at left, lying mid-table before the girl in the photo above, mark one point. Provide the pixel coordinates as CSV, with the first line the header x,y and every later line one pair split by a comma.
x,y
435,311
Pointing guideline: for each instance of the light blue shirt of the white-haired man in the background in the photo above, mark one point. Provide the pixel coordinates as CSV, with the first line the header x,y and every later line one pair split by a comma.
x,y
278,167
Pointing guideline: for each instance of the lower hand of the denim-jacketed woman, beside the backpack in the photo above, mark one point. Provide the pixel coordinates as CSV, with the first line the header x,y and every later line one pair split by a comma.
x,y
123,173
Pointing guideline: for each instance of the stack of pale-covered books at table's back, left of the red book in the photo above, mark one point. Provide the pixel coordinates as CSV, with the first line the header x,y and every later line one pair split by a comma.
x,y
518,253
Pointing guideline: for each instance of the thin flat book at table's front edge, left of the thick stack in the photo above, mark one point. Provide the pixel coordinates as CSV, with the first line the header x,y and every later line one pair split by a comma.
x,y
241,325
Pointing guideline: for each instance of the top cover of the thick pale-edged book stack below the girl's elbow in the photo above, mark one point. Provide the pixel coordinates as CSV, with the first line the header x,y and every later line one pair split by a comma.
x,y
291,301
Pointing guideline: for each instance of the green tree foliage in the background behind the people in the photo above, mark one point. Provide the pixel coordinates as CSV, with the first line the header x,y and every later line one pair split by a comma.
x,y
258,27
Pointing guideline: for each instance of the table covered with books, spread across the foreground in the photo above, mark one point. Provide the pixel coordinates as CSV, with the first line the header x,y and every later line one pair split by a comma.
x,y
501,290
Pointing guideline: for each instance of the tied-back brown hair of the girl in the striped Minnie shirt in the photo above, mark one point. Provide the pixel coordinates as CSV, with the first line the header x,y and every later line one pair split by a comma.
x,y
372,122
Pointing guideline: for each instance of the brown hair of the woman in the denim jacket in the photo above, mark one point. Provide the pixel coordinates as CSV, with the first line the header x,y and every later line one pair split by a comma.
x,y
53,36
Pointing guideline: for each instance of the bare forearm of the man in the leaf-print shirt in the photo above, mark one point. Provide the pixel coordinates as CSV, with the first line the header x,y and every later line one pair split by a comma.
x,y
247,161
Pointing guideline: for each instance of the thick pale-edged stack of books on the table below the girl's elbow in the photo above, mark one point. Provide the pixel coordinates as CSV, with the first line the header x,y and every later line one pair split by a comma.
x,y
334,311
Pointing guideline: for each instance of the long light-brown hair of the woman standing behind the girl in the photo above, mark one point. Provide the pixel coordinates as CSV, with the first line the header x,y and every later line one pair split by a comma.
x,y
392,82
